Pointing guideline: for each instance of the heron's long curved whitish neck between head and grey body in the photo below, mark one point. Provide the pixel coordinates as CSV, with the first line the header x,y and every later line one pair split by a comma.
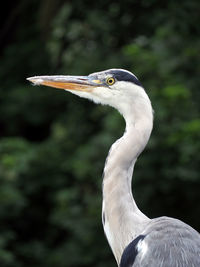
x,y
122,219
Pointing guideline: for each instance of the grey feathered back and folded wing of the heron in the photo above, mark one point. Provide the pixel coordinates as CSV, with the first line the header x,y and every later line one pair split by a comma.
x,y
167,242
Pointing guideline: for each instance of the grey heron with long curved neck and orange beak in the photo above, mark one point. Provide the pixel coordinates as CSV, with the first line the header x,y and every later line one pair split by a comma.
x,y
135,239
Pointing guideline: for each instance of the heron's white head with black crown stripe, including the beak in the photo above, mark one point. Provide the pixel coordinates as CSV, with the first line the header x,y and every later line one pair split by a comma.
x,y
114,87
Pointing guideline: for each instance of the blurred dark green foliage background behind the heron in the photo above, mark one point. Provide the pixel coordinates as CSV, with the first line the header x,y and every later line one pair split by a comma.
x,y
53,144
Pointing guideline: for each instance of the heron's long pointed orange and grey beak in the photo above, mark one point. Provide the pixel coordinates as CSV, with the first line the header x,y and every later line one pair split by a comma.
x,y
79,83
